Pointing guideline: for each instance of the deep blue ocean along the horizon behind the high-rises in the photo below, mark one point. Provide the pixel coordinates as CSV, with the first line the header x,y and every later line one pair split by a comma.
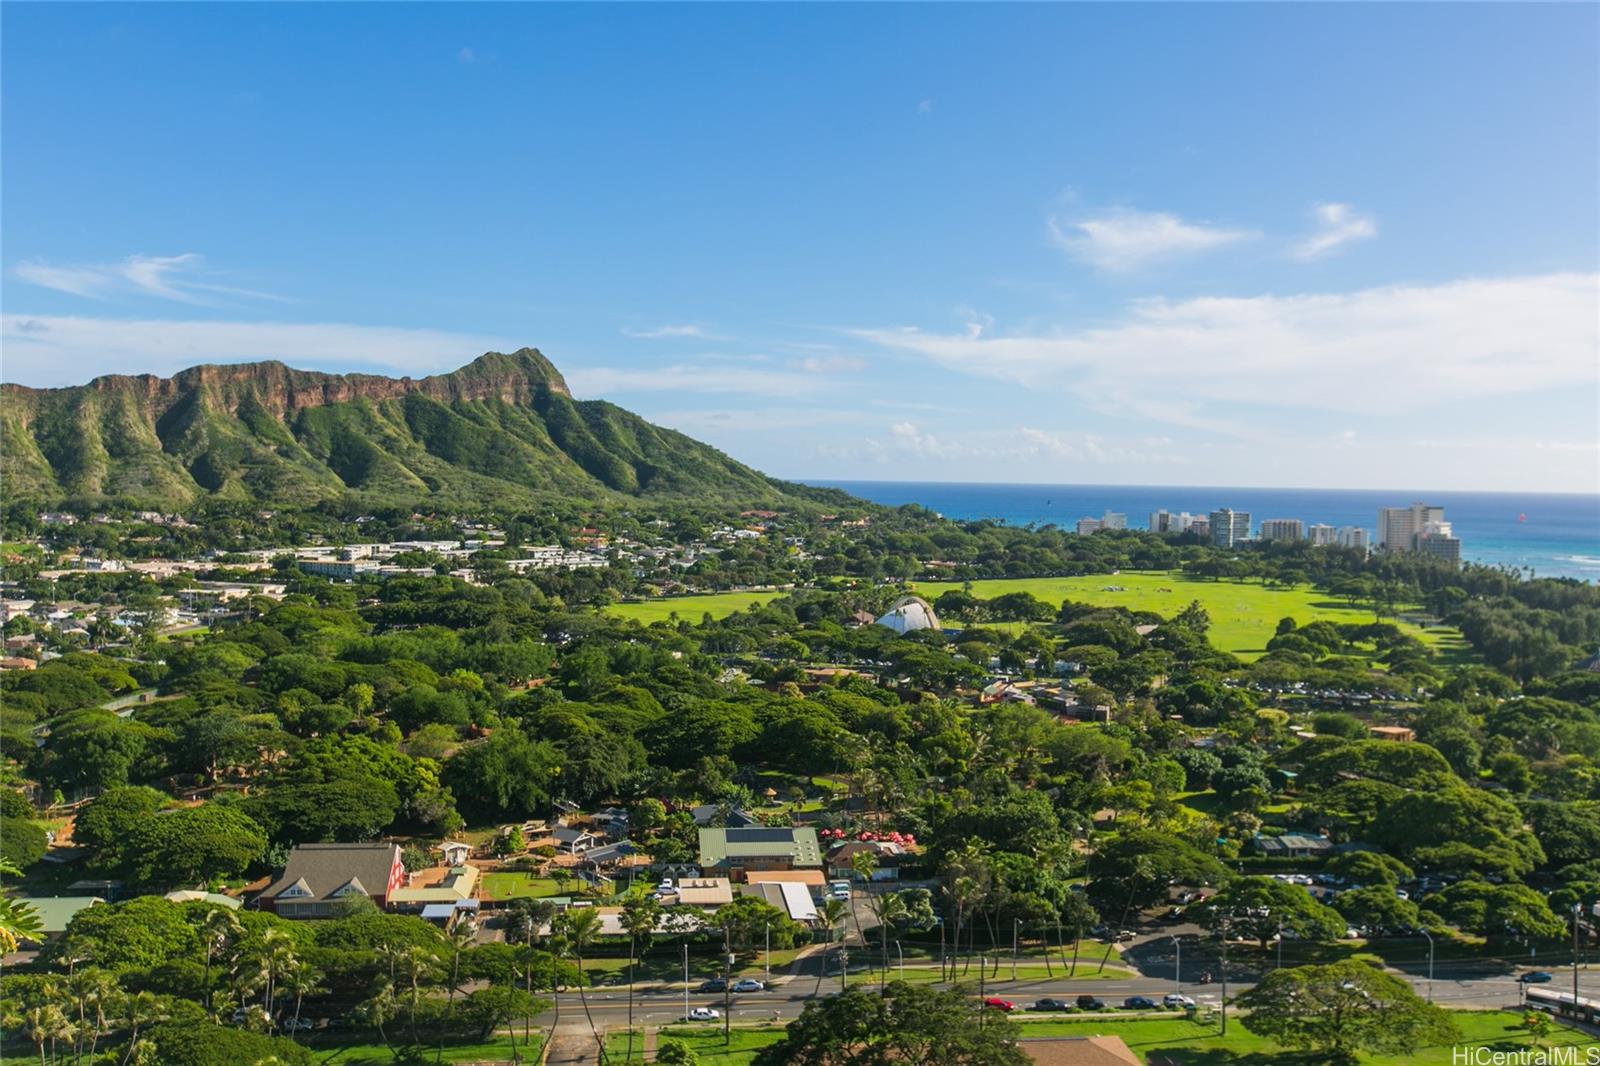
x,y
1550,535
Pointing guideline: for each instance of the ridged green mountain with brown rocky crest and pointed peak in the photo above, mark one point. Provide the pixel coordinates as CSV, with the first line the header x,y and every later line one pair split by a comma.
x,y
500,431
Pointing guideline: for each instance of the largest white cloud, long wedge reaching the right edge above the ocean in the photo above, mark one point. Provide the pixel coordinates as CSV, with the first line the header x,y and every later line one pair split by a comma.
x,y
1385,351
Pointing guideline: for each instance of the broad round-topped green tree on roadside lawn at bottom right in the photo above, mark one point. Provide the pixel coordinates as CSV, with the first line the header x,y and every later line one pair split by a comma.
x,y
1343,1009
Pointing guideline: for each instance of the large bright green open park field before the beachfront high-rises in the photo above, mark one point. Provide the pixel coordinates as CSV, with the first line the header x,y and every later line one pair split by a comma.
x,y
1244,615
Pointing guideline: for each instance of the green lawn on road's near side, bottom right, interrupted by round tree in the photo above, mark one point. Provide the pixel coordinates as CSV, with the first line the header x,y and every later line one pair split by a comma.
x,y
1199,1043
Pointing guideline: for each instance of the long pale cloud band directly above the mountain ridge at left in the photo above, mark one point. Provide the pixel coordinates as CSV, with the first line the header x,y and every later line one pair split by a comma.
x,y
58,350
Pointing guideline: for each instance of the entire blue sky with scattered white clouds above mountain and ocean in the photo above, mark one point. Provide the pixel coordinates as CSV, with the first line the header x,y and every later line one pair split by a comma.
x,y
1326,246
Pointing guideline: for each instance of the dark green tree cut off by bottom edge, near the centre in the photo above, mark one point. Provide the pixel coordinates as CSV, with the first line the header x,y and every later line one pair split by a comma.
x,y
906,1025
